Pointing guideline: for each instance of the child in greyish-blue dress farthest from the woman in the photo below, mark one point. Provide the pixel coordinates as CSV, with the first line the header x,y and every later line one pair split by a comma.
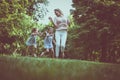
x,y
31,41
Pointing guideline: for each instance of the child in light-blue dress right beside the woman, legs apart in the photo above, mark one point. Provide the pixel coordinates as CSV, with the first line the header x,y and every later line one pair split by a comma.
x,y
48,42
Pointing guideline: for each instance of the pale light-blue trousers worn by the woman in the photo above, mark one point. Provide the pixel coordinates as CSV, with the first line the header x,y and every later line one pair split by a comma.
x,y
61,37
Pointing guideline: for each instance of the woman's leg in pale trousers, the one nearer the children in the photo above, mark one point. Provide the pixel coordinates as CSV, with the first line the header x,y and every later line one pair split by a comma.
x,y
57,38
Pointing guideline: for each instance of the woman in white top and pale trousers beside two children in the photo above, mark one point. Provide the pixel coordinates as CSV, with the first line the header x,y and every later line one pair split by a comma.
x,y
61,24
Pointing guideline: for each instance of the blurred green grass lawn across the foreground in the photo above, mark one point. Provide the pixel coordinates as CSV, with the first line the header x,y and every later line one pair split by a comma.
x,y
30,68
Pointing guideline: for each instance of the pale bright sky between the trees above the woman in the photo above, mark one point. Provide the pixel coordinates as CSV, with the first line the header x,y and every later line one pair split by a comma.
x,y
64,5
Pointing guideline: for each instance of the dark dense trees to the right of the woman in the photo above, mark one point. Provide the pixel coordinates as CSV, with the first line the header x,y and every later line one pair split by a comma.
x,y
96,34
